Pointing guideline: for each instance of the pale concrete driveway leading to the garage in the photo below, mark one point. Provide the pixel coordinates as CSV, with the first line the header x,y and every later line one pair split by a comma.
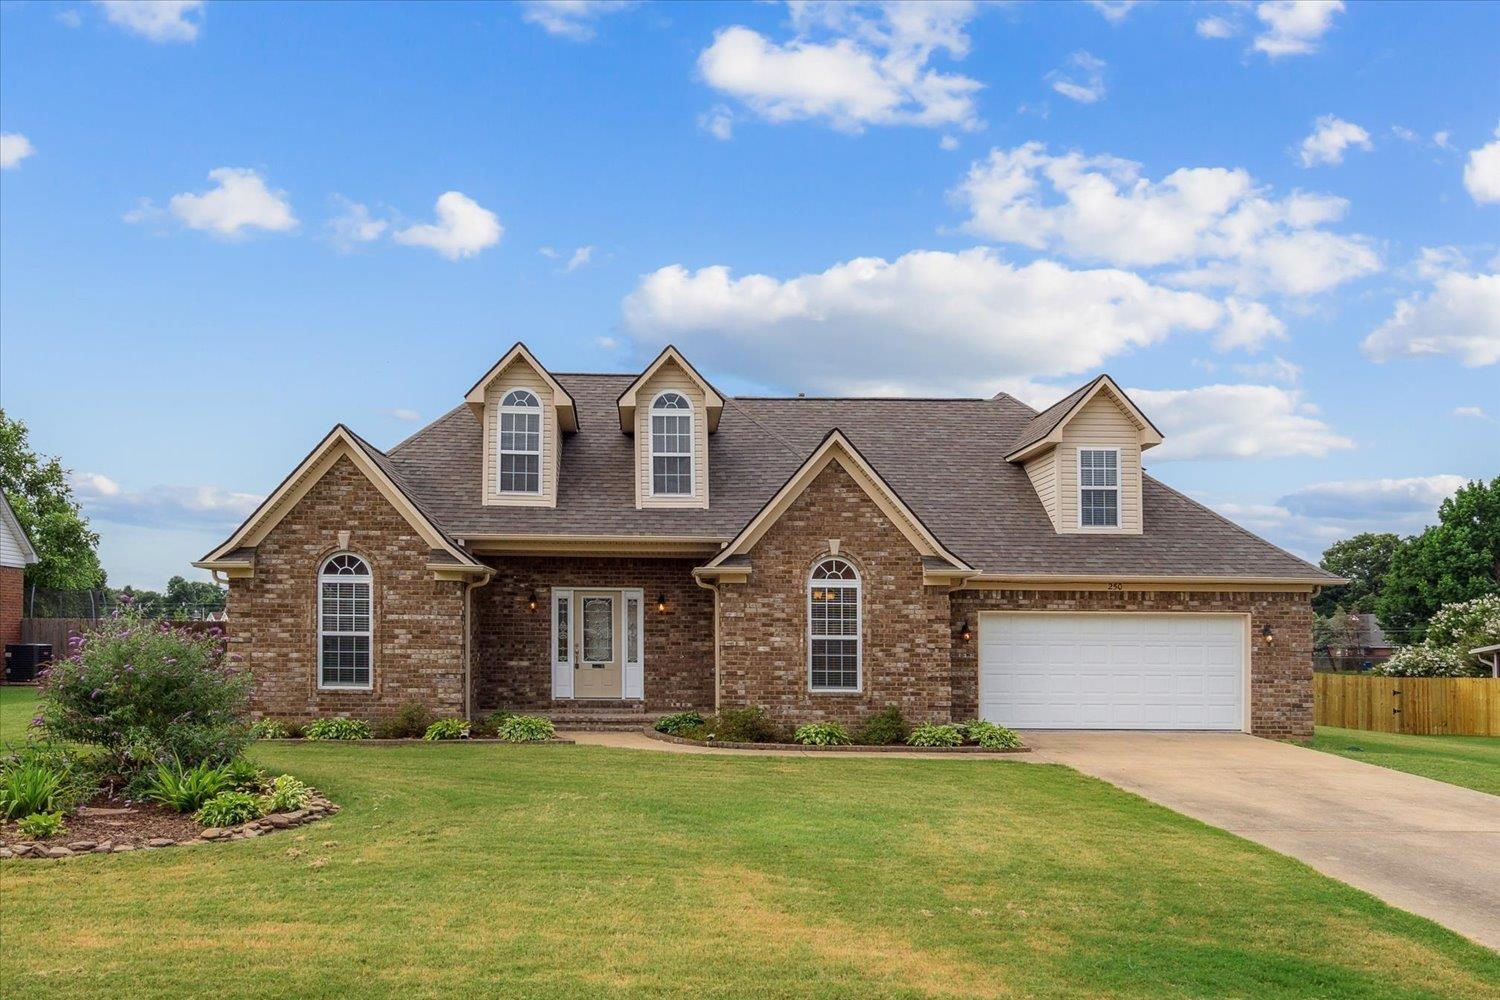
x,y
1420,845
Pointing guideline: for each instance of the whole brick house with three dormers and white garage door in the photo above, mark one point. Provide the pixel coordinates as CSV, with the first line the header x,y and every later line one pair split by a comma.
x,y
643,543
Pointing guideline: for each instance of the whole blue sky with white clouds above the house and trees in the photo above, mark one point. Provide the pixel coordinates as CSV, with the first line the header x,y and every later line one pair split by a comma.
x,y
227,227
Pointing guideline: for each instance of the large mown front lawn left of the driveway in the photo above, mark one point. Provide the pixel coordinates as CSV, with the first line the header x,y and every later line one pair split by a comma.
x,y
577,872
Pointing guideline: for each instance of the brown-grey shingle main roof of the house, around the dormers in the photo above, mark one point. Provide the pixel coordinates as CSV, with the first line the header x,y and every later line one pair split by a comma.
x,y
944,458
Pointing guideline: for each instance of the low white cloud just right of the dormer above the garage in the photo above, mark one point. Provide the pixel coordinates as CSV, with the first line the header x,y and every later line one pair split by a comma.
x,y
1235,422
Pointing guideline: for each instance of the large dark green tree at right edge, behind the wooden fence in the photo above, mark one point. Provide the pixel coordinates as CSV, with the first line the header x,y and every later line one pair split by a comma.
x,y
1456,560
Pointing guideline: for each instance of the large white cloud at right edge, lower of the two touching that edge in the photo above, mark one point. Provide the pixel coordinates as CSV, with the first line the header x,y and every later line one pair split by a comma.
x,y
1457,317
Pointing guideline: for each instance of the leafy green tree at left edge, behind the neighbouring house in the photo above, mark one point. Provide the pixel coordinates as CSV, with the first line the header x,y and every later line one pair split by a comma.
x,y
38,491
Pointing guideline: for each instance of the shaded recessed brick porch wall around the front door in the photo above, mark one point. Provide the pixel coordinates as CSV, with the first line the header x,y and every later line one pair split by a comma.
x,y
514,645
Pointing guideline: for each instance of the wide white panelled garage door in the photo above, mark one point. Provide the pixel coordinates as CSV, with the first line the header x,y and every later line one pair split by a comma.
x,y
1112,671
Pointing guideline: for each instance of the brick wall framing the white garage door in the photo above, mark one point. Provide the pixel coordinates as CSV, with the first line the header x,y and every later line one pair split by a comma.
x,y
1280,674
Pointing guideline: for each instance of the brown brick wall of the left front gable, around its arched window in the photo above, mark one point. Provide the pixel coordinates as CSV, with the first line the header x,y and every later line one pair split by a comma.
x,y
419,621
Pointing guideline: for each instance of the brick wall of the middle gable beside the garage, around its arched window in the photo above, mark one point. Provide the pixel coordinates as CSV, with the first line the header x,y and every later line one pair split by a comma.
x,y
764,621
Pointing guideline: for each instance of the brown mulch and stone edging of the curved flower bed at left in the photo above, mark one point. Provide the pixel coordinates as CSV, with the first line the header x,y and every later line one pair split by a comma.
x,y
112,825
